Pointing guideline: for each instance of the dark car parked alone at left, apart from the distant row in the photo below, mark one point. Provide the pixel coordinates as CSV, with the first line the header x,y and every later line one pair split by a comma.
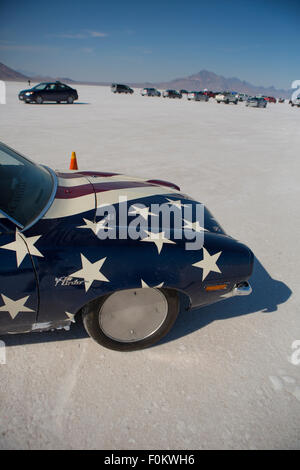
x,y
49,91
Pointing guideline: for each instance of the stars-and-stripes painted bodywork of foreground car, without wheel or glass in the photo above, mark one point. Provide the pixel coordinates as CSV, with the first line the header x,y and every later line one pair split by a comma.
x,y
54,268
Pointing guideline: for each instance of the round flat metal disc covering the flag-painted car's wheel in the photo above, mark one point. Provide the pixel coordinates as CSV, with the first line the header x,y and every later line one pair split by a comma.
x,y
133,314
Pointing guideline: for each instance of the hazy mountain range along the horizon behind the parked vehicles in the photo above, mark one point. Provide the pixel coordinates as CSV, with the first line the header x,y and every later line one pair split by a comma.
x,y
199,81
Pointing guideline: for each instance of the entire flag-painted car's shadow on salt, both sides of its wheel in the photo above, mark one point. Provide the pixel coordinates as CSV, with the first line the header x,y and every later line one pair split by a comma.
x,y
267,294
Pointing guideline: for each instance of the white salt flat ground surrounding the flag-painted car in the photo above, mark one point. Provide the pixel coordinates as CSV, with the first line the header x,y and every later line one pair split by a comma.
x,y
224,377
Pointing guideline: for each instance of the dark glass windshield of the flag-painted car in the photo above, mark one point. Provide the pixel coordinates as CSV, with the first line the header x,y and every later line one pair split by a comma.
x,y
25,187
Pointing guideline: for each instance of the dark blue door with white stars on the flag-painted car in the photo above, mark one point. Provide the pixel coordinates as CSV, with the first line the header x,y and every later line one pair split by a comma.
x,y
18,285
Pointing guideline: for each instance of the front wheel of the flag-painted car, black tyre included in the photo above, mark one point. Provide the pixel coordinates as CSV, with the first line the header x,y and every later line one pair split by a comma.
x,y
131,319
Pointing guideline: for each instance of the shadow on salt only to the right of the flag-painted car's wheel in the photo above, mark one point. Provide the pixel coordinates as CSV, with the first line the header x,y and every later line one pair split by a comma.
x,y
267,294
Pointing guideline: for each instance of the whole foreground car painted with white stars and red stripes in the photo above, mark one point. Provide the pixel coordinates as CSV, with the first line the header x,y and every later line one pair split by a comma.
x,y
56,265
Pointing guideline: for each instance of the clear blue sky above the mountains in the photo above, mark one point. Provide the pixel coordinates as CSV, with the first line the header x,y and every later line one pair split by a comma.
x,y
127,41
